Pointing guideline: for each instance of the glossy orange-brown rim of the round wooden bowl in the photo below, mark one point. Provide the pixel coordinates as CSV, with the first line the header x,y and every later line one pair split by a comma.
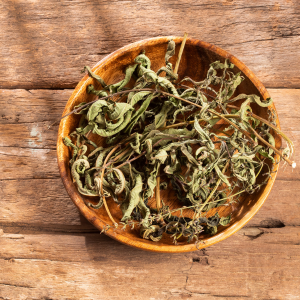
x,y
143,244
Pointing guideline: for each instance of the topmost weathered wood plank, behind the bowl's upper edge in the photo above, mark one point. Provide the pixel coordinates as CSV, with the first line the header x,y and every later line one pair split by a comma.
x,y
46,44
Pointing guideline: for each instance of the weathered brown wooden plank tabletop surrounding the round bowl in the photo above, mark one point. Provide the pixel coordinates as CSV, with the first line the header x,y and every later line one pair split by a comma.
x,y
47,250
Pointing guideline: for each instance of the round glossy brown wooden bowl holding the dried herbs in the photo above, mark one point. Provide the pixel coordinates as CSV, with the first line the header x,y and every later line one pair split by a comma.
x,y
197,56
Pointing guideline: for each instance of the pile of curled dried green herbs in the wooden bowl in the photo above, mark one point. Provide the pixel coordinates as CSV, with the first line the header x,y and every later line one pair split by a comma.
x,y
162,129
